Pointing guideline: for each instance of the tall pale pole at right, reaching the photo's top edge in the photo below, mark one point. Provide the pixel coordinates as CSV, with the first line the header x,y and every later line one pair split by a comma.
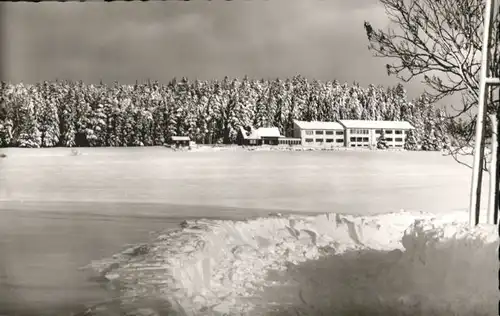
x,y
477,168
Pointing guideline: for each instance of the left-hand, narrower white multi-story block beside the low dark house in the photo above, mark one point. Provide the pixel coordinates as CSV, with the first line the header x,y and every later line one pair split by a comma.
x,y
319,133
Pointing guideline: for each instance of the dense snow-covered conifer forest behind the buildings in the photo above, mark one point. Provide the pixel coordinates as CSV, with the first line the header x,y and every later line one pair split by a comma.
x,y
63,113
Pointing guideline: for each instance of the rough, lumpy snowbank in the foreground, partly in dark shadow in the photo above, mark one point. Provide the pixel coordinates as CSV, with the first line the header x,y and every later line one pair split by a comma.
x,y
313,265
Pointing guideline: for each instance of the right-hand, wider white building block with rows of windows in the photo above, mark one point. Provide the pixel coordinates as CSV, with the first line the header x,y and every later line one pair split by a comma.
x,y
362,133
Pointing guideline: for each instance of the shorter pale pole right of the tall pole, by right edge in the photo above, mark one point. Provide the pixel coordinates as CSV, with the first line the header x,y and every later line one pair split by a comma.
x,y
493,193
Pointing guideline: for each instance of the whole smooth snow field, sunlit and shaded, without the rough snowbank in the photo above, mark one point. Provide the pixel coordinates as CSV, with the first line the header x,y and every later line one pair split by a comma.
x,y
60,211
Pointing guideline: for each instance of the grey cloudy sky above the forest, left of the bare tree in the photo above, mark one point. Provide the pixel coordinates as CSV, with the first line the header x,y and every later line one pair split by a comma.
x,y
126,41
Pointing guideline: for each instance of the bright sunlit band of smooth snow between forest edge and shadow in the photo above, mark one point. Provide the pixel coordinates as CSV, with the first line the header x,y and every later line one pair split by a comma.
x,y
343,181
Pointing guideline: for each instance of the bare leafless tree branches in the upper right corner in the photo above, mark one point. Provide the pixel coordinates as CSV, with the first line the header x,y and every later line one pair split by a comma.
x,y
439,41
